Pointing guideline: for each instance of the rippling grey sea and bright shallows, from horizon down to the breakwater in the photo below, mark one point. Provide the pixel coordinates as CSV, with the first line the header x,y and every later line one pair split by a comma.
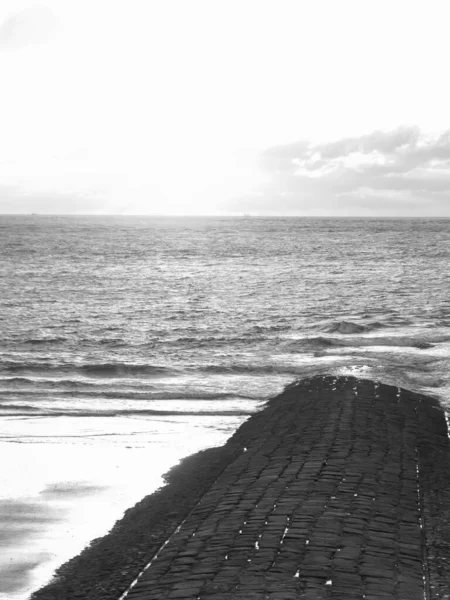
x,y
128,343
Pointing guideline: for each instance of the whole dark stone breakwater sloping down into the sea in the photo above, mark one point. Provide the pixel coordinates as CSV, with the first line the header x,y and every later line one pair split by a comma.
x,y
340,488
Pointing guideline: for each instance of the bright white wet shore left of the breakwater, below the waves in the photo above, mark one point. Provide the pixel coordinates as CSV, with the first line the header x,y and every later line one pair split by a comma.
x,y
70,489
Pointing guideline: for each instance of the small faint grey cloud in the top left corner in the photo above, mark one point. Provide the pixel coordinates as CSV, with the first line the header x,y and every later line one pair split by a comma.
x,y
31,26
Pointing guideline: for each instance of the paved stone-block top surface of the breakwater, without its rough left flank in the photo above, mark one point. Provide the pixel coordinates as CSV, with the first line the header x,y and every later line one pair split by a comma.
x,y
327,491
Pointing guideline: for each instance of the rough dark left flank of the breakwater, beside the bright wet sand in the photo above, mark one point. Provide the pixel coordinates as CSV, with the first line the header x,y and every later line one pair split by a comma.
x,y
108,565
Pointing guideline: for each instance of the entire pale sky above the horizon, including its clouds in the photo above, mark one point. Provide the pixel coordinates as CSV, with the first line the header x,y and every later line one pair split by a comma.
x,y
264,107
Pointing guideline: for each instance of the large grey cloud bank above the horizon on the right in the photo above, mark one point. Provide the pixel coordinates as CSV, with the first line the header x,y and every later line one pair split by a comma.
x,y
401,172
